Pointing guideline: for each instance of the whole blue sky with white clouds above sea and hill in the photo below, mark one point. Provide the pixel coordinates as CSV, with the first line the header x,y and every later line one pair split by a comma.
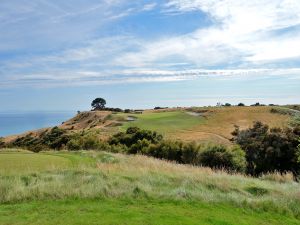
x,y
60,55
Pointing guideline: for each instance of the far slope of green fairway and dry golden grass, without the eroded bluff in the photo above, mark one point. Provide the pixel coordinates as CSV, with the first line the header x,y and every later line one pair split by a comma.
x,y
215,127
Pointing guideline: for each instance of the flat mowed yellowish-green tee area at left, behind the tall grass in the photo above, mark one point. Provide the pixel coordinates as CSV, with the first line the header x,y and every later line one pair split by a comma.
x,y
24,162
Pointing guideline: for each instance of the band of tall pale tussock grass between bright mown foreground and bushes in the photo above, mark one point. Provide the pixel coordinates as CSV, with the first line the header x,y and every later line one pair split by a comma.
x,y
98,174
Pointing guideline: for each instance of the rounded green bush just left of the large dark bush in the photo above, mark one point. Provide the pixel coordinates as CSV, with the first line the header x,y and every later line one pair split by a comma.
x,y
220,157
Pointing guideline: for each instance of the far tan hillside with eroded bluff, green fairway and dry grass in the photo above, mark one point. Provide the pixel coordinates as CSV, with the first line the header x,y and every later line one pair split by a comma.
x,y
206,124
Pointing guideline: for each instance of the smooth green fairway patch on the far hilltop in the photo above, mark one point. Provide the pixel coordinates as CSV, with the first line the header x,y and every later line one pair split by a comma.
x,y
165,122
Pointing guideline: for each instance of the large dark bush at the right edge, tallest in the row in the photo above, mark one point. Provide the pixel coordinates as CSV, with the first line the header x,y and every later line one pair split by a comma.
x,y
269,150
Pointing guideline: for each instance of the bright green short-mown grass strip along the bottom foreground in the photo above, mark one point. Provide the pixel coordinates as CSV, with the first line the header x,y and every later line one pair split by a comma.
x,y
134,212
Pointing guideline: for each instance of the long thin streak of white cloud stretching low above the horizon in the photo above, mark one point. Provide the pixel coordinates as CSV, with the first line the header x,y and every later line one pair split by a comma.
x,y
85,77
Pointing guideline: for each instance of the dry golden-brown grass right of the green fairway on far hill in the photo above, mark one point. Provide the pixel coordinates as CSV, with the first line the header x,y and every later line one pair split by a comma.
x,y
220,123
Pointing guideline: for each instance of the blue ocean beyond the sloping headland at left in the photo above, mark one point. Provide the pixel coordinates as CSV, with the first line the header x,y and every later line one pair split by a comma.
x,y
19,122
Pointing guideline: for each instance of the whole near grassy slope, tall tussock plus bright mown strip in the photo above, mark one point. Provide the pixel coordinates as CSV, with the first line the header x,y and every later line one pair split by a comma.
x,y
103,188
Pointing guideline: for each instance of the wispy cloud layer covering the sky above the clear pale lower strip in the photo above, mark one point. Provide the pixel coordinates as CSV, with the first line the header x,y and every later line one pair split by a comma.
x,y
50,43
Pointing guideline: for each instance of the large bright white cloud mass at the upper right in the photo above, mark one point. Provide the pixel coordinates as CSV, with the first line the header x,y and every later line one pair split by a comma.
x,y
242,31
